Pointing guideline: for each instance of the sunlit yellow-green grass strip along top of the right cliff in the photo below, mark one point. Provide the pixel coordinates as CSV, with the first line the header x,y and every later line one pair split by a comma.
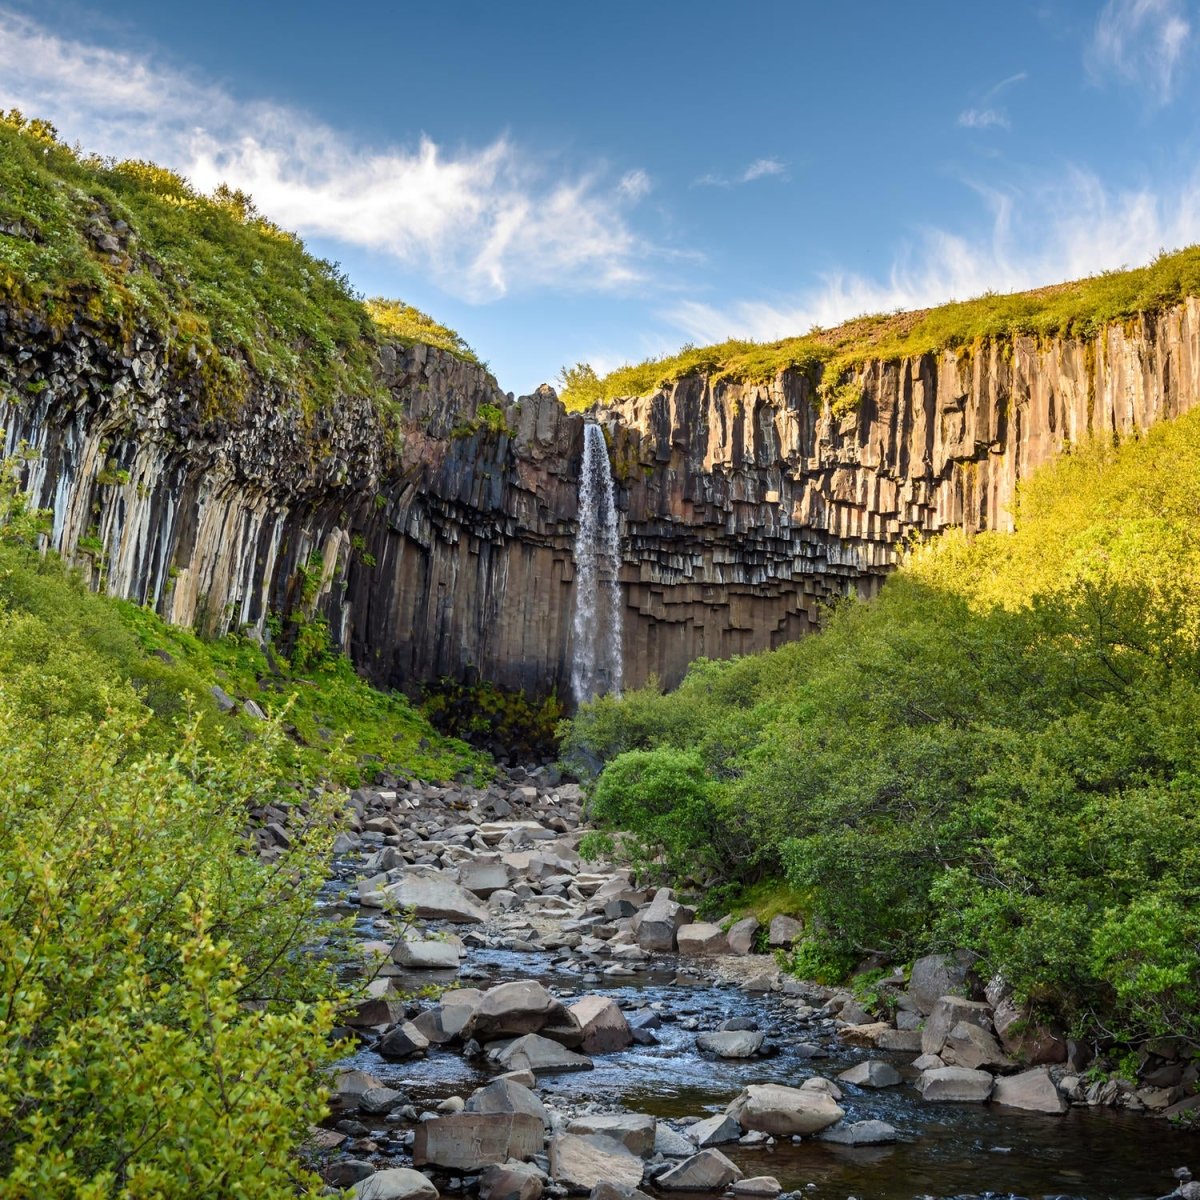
x,y
1065,310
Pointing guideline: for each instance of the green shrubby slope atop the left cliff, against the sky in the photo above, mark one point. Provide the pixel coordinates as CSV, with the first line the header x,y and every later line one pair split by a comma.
x,y
233,296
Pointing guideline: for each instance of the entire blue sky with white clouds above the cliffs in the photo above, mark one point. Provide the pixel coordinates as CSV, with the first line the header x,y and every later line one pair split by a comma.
x,y
603,183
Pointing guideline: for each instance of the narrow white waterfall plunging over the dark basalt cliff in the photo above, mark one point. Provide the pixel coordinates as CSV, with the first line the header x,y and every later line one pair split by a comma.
x,y
596,661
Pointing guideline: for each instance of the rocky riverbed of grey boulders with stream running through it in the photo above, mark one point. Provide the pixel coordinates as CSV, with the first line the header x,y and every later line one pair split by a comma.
x,y
541,1027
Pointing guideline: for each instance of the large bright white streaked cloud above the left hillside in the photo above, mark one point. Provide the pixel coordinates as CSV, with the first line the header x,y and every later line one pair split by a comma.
x,y
485,220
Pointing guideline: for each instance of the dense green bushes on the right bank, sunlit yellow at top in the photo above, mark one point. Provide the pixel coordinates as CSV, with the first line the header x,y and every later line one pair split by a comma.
x,y
1000,752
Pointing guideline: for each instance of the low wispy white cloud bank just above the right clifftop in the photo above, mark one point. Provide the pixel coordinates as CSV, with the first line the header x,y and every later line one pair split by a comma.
x,y
1073,229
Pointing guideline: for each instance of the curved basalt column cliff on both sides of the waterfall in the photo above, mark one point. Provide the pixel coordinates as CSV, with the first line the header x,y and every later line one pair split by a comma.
x,y
437,537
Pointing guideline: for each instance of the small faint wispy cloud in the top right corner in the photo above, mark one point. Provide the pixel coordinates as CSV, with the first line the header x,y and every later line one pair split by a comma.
x,y
1141,43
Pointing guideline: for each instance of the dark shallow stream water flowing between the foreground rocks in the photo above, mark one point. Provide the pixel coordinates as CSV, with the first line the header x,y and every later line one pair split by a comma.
x,y
945,1150
